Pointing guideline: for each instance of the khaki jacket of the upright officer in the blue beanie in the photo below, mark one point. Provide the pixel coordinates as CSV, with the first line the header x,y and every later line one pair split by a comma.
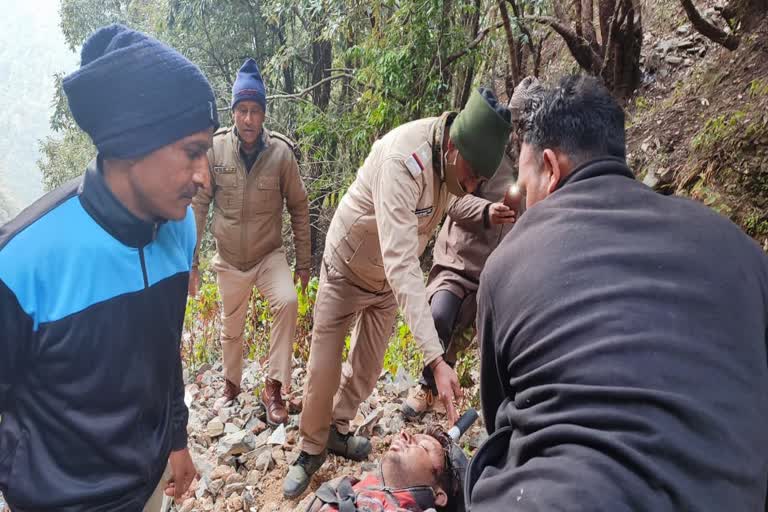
x,y
248,206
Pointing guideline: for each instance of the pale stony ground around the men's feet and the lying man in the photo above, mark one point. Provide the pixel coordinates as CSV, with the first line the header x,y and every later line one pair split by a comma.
x,y
242,461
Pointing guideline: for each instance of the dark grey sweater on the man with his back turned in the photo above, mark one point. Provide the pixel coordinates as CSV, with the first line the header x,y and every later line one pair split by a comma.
x,y
624,366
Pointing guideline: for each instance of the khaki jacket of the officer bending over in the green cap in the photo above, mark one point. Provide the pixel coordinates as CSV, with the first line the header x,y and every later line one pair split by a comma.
x,y
386,218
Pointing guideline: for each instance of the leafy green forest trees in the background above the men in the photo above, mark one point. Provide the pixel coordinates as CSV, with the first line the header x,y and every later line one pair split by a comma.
x,y
389,61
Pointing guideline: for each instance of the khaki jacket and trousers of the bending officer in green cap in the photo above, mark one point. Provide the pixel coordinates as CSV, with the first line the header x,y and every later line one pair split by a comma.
x,y
370,268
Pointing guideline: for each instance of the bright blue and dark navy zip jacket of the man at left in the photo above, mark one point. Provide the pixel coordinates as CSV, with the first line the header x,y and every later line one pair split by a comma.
x,y
92,304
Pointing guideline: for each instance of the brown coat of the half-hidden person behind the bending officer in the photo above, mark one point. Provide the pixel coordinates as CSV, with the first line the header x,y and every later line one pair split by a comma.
x,y
467,238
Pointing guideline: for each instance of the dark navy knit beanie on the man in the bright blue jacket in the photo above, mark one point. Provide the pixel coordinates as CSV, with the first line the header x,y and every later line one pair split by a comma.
x,y
133,94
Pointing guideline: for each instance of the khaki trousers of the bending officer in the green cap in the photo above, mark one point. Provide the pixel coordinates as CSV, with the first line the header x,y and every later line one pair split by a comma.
x,y
332,393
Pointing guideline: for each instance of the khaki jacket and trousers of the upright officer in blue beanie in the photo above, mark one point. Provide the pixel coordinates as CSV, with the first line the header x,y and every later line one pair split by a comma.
x,y
247,228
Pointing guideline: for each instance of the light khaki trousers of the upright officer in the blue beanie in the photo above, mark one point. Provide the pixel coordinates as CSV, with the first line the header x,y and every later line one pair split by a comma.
x,y
273,278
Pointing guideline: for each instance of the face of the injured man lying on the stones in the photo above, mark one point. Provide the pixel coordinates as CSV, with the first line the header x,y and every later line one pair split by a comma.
x,y
418,459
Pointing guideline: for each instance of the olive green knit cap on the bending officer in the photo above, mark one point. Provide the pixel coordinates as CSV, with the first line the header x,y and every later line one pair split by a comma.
x,y
481,131
